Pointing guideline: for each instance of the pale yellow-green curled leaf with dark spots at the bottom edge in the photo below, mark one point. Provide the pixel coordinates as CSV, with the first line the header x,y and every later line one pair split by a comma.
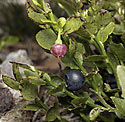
x,y
94,113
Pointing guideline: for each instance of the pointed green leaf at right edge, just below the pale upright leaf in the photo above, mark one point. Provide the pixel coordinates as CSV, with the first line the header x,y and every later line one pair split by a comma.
x,y
120,105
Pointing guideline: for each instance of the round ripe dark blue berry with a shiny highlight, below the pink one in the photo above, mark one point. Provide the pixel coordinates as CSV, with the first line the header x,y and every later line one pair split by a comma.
x,y
74,80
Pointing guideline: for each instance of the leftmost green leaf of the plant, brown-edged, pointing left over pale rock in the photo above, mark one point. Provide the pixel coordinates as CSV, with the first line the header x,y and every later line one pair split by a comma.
x,y
11,82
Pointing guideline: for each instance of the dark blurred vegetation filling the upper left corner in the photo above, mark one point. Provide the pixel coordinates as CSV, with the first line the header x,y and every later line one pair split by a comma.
x,y
14,20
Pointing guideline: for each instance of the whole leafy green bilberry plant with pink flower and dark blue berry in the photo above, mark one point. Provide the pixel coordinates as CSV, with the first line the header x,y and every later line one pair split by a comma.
x,y
84,39
